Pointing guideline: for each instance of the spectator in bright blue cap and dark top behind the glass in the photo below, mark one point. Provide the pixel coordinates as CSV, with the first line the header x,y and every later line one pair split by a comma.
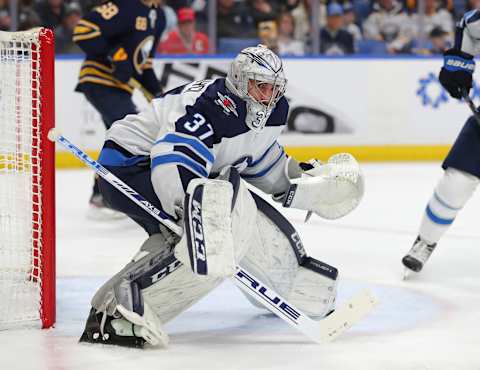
x,y
334,40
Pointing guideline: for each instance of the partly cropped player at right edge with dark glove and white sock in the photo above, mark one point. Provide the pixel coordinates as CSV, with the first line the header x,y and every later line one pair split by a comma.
x,y
462,164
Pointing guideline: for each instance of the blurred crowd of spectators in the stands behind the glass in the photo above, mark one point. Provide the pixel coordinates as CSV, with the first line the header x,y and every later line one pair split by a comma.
x,y
344,26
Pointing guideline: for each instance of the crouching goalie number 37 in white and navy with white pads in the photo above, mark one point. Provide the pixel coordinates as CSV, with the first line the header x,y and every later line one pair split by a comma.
x,y
191,154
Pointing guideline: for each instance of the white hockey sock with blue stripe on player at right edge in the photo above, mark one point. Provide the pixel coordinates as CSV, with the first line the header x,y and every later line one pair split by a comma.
x,y
450,195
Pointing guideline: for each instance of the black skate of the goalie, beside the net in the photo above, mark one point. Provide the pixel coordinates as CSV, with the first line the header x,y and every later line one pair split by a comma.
x,y
112,331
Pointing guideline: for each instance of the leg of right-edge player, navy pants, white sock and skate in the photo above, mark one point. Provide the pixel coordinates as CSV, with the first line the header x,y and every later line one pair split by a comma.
x,y
458,183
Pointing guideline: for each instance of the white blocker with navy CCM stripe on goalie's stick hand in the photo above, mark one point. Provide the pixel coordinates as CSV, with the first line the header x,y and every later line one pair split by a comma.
x,y
218,217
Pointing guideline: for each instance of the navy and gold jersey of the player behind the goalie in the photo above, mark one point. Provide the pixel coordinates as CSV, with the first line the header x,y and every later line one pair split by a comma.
x,y
119,38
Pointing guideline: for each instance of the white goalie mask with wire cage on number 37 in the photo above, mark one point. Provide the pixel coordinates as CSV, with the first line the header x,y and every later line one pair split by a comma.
x,y
250,70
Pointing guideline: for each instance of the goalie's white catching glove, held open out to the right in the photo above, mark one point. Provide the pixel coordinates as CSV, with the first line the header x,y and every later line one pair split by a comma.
x,y
330,190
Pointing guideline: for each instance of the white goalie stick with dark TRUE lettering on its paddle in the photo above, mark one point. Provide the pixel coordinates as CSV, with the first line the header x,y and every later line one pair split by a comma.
x,y
321,331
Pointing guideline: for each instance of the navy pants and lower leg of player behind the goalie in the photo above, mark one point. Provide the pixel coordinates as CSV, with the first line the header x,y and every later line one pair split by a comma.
x,y
112,104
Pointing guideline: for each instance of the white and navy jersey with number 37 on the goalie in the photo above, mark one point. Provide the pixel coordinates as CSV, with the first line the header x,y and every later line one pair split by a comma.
x,y
196,130
